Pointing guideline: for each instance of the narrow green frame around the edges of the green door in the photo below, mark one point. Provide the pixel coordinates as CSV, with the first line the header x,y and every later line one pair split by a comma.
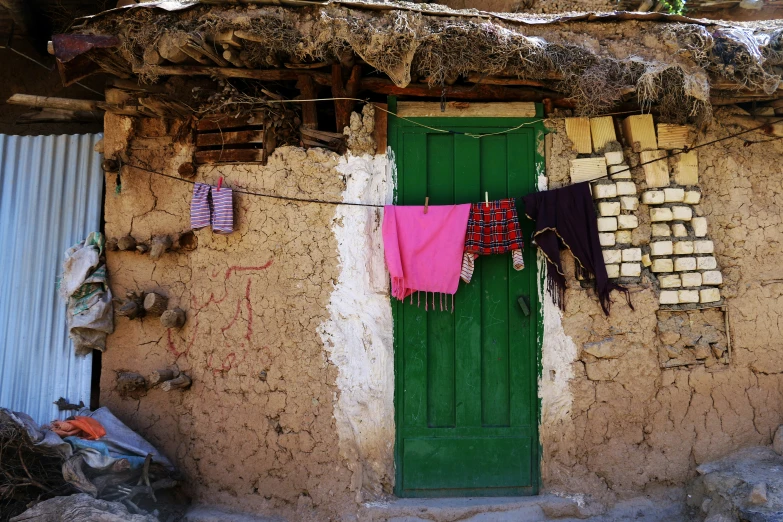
x,y
537,123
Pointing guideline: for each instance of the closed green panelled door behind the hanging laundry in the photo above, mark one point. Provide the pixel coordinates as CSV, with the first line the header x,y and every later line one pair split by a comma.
x,y
466,382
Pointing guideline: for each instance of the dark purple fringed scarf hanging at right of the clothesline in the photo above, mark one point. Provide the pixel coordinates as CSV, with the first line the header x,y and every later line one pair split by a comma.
x,y
565,218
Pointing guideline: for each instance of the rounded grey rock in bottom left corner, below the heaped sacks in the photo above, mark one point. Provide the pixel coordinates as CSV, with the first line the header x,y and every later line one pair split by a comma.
x,y
81,507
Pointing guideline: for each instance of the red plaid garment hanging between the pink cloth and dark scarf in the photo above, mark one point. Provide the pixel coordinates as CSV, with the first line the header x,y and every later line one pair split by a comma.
x,y
493,229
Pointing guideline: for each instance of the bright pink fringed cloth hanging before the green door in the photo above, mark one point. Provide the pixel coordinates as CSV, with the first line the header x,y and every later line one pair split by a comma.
x,y
424,251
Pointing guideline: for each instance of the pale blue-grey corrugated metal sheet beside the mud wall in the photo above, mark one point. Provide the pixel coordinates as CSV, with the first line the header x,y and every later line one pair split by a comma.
x,y
51,190
